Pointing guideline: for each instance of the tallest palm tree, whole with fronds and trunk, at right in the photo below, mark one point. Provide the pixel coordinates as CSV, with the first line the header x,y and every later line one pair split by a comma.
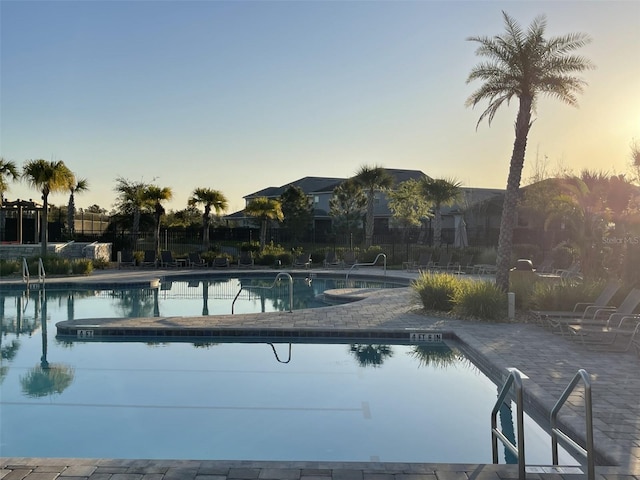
x,y
523,65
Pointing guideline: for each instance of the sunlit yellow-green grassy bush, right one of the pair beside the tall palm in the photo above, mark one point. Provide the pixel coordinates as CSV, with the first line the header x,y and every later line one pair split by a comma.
x,y
480,299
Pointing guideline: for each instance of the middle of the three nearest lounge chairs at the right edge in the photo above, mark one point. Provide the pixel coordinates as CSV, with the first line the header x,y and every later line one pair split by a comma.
x,y
597,318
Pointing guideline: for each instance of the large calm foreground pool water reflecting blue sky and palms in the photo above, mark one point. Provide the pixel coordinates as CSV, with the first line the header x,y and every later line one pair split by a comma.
x,y
247,401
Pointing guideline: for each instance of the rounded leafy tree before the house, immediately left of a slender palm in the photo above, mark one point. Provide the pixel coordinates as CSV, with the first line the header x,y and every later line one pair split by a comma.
x,y
347,206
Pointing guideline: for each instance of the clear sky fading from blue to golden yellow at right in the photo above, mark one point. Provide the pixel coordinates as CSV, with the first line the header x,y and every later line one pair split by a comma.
x,y
238,96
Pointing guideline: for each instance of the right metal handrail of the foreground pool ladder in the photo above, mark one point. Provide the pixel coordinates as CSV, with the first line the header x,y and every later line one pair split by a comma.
x,y
557,433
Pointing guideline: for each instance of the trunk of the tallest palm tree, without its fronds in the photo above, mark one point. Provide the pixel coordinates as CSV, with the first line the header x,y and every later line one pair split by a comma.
x,y
508,221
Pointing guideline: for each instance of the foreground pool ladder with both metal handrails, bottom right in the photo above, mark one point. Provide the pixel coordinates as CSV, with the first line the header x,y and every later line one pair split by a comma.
x,y
515,379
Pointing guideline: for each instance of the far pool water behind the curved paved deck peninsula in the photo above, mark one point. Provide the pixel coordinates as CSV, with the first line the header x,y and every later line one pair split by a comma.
x,y
181,297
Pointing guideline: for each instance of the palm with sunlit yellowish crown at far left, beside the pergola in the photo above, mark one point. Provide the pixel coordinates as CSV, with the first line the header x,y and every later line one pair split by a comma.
x,y
48,177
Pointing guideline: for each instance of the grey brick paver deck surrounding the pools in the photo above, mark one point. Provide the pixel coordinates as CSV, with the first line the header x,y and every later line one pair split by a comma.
x,y
548,360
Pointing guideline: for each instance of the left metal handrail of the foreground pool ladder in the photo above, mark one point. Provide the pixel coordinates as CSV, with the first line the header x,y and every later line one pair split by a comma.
x,y
514,379
